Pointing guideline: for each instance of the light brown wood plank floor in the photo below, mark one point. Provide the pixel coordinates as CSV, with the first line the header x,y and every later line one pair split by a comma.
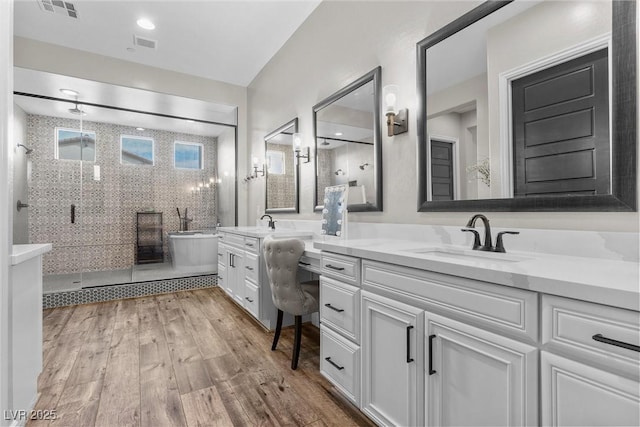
x,y
190,358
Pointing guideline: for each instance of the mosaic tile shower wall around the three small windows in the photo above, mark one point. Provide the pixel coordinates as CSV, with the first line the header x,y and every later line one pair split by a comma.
x,y
104,233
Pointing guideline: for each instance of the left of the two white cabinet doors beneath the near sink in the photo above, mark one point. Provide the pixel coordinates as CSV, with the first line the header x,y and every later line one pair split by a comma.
x,y
392,361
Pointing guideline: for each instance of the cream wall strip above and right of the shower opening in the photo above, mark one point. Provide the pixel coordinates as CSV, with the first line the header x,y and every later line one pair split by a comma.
x,y
70,62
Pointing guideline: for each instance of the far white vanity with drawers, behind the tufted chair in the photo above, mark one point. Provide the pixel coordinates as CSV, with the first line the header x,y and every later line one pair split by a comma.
x,y
242,273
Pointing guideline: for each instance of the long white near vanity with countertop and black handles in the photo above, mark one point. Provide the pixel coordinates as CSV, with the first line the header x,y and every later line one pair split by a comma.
x,y
419,334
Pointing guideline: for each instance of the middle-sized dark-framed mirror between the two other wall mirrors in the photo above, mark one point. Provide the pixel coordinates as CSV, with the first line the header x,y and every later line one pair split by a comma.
x,y
348,143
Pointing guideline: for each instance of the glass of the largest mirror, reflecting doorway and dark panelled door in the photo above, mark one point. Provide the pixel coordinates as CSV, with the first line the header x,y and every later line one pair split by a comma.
x,y
475,72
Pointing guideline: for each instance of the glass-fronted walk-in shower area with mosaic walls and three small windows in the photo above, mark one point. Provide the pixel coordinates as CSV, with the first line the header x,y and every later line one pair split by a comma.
x,y
100,175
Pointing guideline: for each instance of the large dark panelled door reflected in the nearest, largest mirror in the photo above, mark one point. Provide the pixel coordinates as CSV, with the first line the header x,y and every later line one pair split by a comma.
x,y
561,129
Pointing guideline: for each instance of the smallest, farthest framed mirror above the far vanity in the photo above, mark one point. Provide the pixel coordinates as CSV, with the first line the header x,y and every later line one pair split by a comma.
x,y
282,174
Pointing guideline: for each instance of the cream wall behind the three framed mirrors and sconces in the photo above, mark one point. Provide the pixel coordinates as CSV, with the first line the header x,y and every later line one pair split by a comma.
x,y
341,41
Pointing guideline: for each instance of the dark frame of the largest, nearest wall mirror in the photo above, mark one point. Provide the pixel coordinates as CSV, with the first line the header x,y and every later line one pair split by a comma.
x,y
623,124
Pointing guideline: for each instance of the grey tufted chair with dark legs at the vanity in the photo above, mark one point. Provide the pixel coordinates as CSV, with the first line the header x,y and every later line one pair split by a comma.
x,y
289,295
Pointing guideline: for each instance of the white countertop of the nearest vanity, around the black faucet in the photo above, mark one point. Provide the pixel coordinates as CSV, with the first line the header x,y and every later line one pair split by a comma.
x,y
607,282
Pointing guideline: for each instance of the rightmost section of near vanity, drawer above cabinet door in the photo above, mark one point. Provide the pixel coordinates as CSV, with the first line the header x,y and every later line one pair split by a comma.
x,y
590,364
